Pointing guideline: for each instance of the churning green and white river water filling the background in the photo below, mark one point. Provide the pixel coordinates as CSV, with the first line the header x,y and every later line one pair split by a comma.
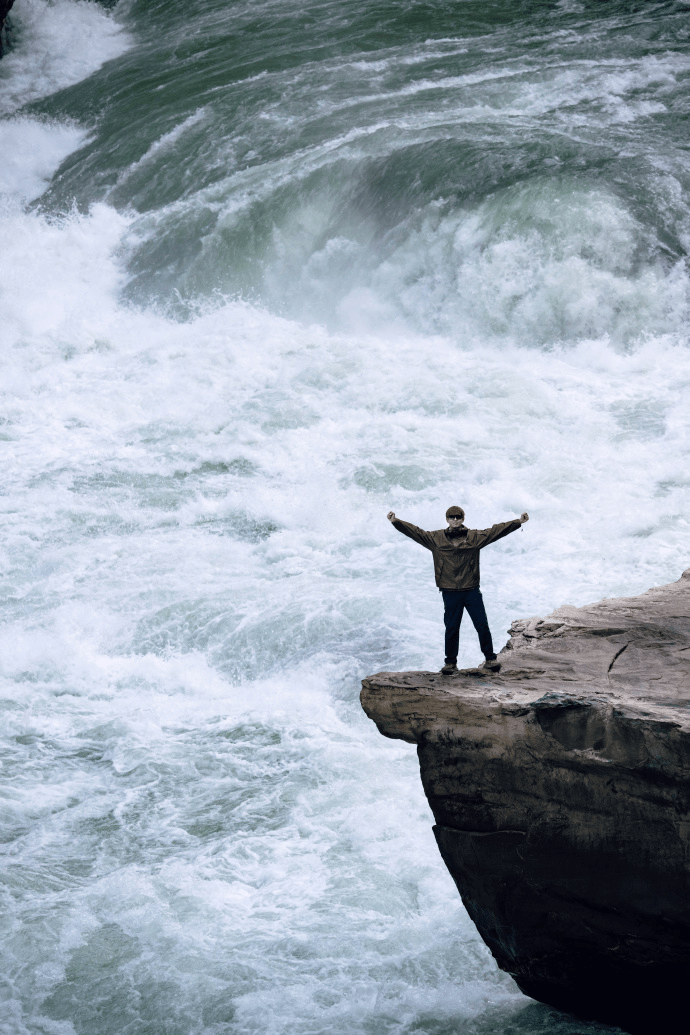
x,y
269,270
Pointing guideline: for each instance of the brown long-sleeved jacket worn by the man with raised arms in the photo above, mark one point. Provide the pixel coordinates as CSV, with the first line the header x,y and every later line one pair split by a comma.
x,y
457,559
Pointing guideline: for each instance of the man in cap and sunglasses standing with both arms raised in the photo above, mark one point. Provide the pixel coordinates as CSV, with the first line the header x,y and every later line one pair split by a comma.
x,y
456,552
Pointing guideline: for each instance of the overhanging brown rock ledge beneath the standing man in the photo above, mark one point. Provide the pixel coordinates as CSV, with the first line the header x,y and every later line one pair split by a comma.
x,y
561,792
